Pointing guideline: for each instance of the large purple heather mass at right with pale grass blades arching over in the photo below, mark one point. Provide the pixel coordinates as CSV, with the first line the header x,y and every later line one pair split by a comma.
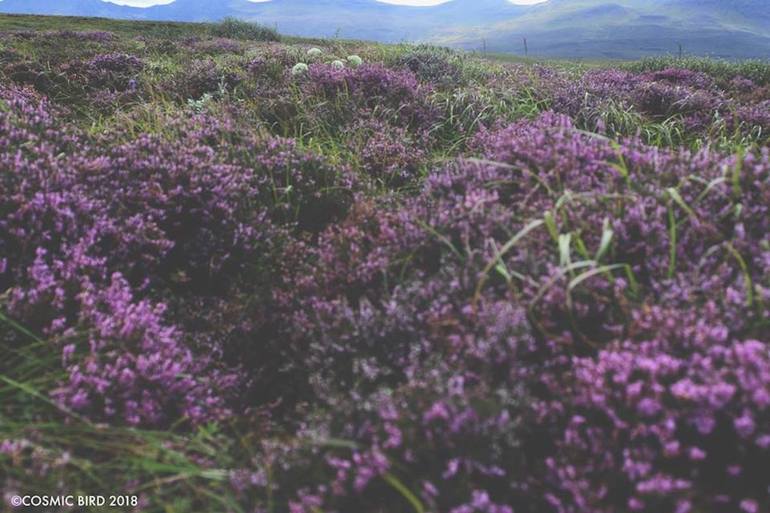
x,y
562,325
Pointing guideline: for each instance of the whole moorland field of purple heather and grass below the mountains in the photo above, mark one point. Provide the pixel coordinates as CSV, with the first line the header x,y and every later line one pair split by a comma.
x,y
269,280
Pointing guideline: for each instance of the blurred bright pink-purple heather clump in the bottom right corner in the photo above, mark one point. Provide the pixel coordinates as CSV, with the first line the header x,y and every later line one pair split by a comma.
x,y
670,422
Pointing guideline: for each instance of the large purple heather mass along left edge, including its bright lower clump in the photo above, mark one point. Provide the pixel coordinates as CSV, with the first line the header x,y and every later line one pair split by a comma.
x,y
89,236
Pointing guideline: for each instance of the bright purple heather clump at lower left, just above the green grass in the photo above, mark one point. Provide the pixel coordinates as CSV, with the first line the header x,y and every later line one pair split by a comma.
x,y
135,369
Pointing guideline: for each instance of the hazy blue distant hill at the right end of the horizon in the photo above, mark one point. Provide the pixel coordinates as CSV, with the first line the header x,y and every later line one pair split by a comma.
x,y
628,29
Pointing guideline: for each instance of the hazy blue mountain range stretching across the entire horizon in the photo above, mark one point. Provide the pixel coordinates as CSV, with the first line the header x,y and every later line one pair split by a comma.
x,y
556,28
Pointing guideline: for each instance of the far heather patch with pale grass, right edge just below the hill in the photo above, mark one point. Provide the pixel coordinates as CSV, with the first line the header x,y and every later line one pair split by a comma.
x,y
653,103
